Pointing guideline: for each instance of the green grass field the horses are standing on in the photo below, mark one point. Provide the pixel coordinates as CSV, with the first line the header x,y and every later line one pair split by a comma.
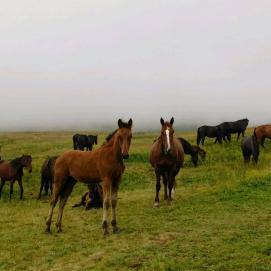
x,y
220,218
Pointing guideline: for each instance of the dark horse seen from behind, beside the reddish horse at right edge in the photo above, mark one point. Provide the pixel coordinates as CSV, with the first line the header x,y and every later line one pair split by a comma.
x,y
250,146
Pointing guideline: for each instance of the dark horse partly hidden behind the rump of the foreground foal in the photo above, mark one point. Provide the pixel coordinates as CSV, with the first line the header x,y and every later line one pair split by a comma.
x,y
47,175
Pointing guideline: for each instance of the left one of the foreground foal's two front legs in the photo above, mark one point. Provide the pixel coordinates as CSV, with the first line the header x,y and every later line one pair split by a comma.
x,y
106,203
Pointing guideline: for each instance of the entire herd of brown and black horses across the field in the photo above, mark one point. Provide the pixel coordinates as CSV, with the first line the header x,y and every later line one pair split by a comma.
x,y
106,164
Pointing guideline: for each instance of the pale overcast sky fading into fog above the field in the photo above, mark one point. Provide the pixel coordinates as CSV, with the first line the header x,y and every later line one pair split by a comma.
x,y
83,64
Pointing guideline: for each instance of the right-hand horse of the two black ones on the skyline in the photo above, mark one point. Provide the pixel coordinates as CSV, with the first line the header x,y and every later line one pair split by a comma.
x,y
233,127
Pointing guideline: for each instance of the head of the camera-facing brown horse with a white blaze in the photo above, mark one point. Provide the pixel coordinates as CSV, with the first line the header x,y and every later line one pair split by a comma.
x,y
167,132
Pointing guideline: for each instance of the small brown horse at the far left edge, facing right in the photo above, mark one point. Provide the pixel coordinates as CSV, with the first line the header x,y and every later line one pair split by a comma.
x,y
13,171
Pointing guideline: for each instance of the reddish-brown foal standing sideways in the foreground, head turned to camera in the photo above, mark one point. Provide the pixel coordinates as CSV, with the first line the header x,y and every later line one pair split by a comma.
x,y
104,164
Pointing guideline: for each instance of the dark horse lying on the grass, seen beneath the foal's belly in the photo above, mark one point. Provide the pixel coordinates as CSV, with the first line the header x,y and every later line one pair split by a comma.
x,y
93,198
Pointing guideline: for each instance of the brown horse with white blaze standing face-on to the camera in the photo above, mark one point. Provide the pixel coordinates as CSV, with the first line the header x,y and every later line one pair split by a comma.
x,y
166,157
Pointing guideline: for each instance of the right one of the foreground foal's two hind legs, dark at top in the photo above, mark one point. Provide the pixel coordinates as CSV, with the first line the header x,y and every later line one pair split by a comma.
x,y
63,195
